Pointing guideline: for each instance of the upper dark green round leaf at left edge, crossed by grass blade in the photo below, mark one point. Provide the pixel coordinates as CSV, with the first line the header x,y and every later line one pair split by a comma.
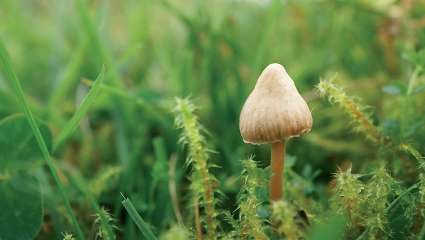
x,y
18,146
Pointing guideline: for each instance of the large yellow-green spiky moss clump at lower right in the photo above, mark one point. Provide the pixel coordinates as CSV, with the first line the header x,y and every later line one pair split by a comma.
x,y
366,203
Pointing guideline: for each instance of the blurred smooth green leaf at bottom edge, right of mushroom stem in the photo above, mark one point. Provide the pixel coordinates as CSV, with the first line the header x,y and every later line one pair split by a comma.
x,y
332,228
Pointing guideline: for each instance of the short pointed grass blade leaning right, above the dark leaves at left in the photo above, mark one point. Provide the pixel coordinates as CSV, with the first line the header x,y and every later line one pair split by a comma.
x,y
72,125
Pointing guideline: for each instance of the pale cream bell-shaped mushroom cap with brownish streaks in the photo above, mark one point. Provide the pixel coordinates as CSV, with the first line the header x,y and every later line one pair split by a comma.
x,y
274,110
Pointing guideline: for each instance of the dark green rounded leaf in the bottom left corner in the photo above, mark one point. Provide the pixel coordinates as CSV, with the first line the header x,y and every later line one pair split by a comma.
x,y
21,207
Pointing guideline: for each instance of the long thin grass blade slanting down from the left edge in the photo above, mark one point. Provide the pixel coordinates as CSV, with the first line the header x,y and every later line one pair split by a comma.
x,y
11,77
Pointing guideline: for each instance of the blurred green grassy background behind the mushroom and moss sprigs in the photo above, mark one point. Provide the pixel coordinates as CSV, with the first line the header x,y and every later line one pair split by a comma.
x,y
212,52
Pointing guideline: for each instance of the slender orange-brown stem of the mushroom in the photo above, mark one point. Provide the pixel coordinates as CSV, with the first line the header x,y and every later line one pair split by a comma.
x,y
277,162
